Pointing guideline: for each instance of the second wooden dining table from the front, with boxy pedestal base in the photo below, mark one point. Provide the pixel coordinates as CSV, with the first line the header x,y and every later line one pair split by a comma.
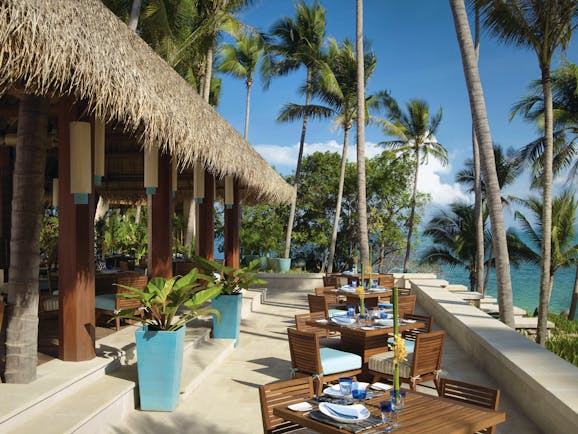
x,y
366,340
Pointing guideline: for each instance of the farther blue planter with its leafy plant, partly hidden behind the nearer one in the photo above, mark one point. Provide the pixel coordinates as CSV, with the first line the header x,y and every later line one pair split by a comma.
x,y
229,303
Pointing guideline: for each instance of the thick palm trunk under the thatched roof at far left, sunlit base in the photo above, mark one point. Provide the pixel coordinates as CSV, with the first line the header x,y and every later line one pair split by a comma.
x,y
22,330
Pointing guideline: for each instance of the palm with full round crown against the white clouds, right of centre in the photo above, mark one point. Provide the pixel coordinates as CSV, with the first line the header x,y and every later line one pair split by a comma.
x,y
415,134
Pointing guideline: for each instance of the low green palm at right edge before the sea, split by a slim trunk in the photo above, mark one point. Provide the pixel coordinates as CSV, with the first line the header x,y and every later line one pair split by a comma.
x,y
564,252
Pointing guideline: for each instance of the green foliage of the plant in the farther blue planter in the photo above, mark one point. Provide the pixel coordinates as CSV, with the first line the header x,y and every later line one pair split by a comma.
x,y
232,280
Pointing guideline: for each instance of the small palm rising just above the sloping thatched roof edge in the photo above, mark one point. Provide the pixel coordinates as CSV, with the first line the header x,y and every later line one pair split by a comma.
x,y
241,61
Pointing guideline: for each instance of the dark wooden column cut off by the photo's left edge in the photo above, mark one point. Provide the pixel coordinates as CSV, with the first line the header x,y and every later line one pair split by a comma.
x,y
6,169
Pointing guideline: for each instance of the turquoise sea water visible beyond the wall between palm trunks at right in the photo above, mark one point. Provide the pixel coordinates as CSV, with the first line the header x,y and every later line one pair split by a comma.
x,y
525,285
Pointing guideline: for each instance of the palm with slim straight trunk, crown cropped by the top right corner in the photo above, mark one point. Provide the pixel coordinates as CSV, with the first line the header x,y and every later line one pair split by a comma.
x,y
543,26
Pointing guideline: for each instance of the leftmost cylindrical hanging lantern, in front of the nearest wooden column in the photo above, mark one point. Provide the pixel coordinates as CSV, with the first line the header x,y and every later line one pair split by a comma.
x,y
80,162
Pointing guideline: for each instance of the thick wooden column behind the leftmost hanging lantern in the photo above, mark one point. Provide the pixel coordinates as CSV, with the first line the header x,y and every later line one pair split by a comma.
x,y
75,256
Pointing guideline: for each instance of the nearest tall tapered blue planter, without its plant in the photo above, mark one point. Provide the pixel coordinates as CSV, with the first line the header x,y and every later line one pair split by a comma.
x,y
160,364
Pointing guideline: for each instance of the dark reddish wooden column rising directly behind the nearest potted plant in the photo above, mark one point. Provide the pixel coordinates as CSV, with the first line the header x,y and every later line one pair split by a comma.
x,y
160,257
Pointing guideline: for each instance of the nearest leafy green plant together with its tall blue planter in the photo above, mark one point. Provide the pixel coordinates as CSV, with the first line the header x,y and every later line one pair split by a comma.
x,y
168,305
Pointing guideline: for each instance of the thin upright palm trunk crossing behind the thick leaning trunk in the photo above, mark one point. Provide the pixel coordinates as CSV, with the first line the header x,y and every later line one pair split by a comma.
x,y
478,215
